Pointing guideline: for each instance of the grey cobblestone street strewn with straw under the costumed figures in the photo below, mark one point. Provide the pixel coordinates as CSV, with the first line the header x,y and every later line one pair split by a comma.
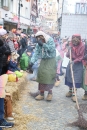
x,y
54,115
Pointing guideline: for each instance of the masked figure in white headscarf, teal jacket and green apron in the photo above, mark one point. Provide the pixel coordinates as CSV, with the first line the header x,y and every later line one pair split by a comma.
x,y
45,50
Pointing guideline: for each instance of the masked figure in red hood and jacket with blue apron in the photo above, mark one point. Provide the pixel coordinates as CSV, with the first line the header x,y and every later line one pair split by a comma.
x,y
77,52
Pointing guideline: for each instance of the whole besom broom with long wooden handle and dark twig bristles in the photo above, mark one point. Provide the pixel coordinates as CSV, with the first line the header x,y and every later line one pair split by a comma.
x,y
81,122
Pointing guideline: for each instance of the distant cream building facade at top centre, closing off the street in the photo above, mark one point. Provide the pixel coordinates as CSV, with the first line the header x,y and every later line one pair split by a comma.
x,y
48,15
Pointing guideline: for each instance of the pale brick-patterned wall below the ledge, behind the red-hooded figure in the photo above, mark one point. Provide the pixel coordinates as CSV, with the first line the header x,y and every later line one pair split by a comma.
x,y
74,24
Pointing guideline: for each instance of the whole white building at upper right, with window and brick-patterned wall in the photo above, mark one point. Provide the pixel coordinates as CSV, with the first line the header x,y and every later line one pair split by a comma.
x,y
73,18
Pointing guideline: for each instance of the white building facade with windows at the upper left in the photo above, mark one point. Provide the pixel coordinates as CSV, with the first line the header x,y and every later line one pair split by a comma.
x,y
9,12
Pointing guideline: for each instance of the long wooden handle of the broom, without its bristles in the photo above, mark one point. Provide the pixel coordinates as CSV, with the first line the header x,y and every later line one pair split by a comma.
x,y
73,81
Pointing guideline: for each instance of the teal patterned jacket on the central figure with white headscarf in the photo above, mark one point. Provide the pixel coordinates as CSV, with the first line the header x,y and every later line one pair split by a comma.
x,y
47,51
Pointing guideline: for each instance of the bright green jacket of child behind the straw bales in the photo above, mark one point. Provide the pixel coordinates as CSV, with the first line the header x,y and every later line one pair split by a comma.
x,y
24,61
